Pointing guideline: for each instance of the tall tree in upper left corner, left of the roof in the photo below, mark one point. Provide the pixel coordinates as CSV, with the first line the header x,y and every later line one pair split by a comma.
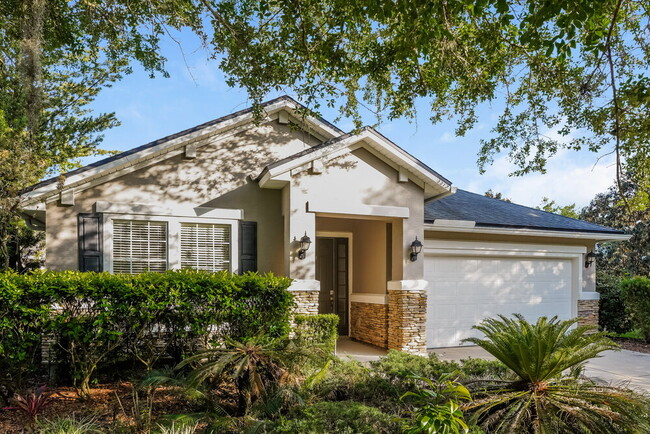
x,y
55,57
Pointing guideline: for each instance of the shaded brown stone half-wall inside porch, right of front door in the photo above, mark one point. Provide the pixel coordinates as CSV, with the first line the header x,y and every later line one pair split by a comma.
x,y
369,323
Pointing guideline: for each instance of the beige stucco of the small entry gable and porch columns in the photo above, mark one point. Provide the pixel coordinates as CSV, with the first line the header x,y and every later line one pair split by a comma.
x,y
359,177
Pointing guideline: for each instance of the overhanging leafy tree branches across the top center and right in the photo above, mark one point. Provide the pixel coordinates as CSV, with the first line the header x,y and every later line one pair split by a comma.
x,y
575,68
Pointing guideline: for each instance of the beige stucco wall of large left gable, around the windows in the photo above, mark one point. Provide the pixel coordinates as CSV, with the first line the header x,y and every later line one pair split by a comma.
x,y
217,177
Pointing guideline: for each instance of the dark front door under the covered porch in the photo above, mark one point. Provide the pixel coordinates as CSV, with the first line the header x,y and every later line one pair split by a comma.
x,y
332,272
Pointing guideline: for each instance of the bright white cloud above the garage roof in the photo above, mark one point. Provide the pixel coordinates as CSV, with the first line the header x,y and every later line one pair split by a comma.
x,y
572,177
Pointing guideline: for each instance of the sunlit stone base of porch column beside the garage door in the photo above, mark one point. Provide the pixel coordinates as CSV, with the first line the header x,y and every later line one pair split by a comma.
x,y
407,316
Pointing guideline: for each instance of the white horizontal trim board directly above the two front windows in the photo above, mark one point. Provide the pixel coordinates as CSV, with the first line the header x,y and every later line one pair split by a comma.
x,y
177,211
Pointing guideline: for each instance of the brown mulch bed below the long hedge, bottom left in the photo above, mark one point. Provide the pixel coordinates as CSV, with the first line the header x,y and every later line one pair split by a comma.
x,y
103,406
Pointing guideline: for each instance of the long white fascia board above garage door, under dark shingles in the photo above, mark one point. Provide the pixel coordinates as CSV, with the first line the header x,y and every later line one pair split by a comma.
x,y
596,236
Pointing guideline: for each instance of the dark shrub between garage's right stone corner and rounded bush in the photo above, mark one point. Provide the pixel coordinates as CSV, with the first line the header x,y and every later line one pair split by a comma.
x,y
612,315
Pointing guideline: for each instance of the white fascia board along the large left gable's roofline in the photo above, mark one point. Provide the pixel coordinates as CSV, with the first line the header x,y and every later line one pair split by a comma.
x,y
177,144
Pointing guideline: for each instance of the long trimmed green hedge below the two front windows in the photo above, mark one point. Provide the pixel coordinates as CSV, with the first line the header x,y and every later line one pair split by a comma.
x,y
148,316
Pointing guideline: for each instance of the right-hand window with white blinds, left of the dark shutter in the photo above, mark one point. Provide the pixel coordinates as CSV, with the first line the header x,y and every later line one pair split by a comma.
x,y
205,246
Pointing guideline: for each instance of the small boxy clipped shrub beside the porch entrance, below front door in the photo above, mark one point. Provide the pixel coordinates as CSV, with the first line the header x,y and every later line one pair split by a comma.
x,y
317,330
